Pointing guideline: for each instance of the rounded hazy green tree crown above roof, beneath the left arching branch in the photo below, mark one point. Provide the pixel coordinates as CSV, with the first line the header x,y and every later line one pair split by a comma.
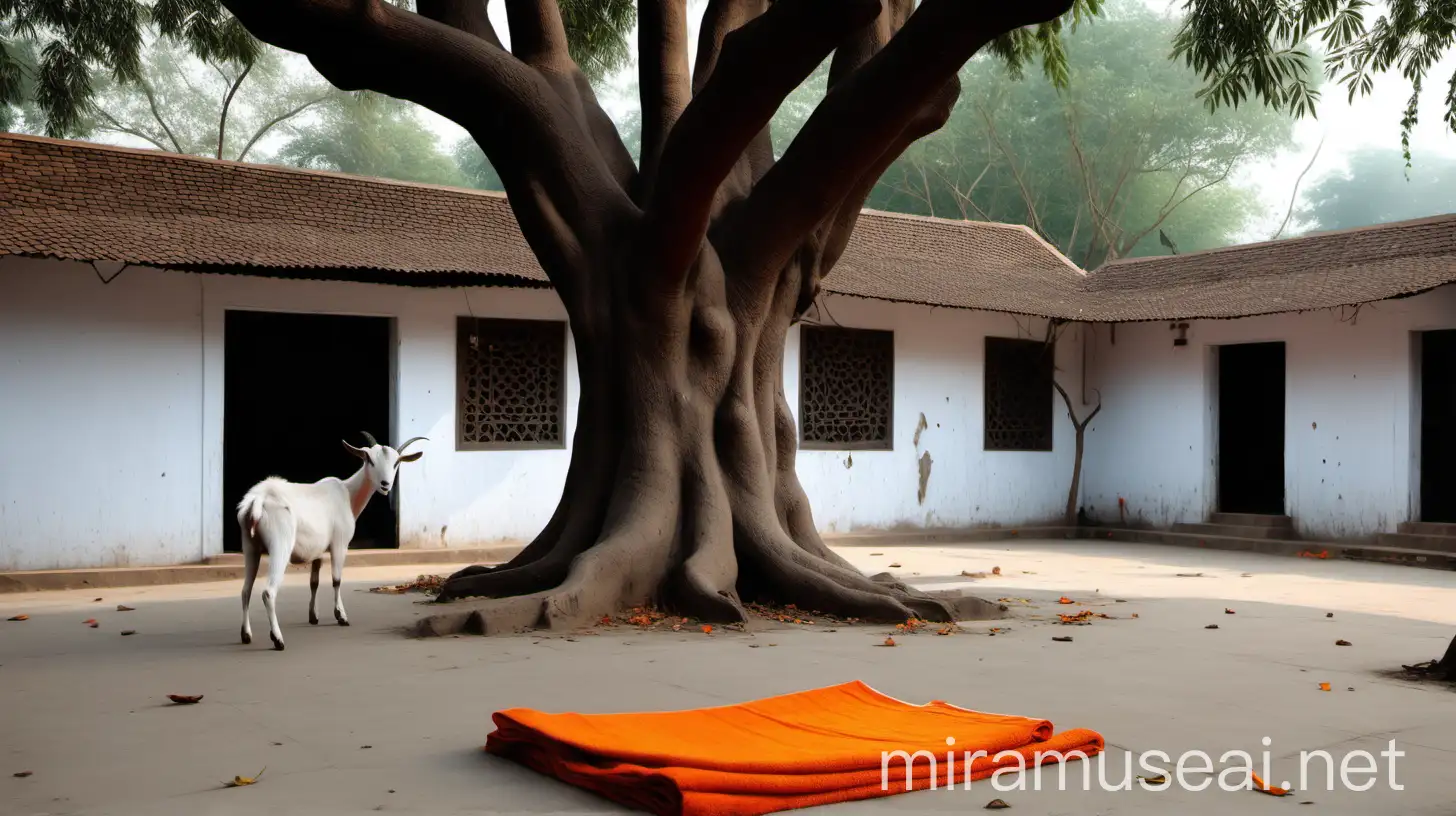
x,y
372,136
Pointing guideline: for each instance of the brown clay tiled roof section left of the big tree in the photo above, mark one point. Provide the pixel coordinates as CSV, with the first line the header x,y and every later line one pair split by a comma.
x,y
92,203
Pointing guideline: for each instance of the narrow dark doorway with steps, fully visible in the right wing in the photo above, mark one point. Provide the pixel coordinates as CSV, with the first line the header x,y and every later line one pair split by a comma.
x,y
1251,429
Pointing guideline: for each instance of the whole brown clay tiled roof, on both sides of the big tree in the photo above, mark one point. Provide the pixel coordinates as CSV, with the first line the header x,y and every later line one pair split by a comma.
x,y
97,203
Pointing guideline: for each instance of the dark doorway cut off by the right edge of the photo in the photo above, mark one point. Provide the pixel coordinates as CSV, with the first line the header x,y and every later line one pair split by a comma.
x,y
1439,426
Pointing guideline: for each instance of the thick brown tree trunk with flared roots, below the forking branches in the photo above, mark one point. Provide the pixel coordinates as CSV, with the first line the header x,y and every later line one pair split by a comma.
x,y
682,490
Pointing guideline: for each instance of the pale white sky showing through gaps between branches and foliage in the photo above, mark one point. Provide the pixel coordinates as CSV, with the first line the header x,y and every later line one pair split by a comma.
x,y
1345,127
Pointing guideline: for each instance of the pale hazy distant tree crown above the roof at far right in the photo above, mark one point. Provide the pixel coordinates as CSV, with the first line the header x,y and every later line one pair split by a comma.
x,y
1374,190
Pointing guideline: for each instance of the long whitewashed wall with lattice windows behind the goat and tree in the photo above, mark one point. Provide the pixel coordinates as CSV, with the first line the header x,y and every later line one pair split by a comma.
x,y
111,419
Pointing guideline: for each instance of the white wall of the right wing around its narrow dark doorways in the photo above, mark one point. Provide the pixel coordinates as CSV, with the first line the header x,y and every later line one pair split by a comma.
x,y
1352,412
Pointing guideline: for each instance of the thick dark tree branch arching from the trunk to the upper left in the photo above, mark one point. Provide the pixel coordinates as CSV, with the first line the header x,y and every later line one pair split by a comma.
x,y
513,111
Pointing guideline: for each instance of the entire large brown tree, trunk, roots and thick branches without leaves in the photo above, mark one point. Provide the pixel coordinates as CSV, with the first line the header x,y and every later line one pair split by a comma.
x,y
681,278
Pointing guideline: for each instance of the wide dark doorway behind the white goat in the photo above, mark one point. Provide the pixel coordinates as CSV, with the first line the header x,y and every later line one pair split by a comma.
x,y
293,388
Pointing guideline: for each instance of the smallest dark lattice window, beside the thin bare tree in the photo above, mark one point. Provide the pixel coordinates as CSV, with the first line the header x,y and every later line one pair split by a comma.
x,y
1018,394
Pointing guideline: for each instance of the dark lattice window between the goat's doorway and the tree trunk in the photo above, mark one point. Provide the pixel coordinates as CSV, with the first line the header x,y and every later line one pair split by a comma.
x,y
512,378
